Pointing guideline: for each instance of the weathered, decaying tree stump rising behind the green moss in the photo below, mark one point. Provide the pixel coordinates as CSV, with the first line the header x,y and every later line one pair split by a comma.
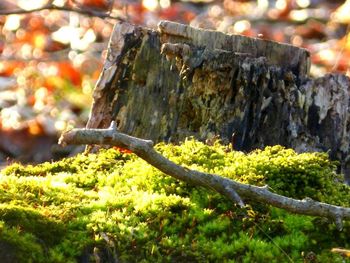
x,y
179,81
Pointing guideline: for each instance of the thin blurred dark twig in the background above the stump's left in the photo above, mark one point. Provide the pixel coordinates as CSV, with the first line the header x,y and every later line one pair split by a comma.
x,y
50,6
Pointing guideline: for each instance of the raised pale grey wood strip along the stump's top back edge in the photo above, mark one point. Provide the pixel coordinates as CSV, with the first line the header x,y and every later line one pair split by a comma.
x,y
278,54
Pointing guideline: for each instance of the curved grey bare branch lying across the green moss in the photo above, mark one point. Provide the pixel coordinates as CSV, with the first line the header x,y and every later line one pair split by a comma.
x,y
231,189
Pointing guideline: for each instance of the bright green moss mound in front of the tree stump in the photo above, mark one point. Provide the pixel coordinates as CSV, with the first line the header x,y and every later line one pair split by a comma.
x,y
114,207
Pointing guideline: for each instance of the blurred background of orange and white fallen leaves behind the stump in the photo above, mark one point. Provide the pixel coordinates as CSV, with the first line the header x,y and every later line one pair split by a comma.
x,y
52,52
